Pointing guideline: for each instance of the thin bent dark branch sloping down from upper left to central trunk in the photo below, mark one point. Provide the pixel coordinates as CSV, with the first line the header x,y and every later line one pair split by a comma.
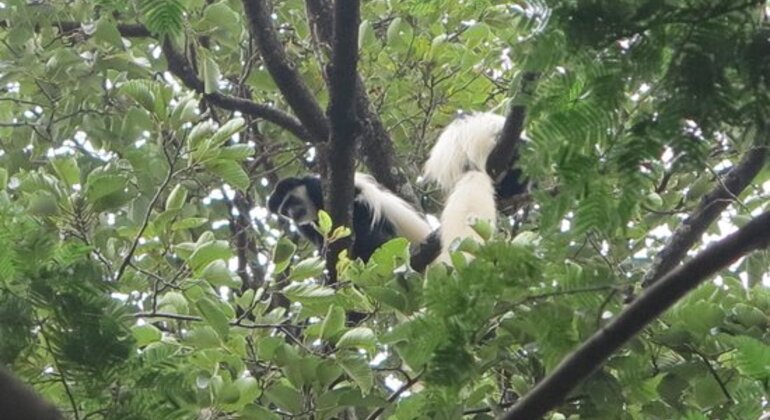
x,y
180,67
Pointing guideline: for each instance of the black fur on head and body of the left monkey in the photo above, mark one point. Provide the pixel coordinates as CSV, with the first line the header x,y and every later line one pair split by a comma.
x,y
367,238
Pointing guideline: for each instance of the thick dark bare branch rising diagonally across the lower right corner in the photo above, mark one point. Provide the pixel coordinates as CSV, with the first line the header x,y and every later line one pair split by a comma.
x,y
654,301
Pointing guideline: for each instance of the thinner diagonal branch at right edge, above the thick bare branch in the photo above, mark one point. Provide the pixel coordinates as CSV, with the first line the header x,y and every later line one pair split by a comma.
x,y
709,208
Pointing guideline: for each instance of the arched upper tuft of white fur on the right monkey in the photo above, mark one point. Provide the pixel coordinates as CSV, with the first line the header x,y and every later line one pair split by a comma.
x,y
464,145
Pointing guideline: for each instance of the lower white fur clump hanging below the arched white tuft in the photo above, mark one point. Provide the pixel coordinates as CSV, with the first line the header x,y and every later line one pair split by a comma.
x,y
472,199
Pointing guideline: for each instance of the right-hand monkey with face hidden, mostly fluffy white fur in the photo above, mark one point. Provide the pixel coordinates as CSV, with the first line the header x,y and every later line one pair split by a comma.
x,y
457,163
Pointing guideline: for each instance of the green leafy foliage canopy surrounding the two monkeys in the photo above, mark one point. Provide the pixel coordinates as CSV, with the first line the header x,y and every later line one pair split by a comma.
x,y
141,276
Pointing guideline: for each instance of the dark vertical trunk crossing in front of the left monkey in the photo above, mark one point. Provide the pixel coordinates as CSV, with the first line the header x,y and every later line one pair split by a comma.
x,y
342,115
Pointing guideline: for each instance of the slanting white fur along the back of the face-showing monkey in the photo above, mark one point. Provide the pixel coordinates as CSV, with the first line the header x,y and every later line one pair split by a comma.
x,y
384,204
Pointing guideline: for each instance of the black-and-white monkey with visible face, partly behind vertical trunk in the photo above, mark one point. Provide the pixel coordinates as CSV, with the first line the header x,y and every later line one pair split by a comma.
x,y
378,215
